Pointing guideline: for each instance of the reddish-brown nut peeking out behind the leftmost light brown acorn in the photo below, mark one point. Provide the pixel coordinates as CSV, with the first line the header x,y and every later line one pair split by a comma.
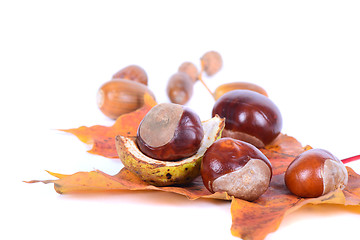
x,y
132,72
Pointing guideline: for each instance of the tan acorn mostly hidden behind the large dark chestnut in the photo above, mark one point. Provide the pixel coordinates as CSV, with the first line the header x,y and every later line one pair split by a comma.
x,y
227,87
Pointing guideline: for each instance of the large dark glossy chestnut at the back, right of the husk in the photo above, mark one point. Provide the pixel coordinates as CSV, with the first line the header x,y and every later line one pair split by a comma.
x,y
249,116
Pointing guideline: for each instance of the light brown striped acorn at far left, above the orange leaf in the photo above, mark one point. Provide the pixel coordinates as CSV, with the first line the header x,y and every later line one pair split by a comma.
x,y
118,97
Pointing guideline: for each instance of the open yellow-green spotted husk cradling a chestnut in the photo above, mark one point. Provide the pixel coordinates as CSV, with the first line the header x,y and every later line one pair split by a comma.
x,y
165,173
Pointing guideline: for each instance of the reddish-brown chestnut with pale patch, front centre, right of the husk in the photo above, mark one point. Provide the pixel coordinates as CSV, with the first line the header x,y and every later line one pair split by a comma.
x,y
236,167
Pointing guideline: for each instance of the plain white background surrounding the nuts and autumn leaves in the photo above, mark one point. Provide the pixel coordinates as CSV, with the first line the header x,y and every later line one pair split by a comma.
x,y
54,55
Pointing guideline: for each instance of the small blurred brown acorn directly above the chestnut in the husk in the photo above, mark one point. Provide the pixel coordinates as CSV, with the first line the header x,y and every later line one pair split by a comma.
x,y
180,88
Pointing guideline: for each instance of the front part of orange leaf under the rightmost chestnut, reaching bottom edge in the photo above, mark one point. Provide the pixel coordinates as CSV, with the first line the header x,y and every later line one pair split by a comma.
x,y
255,220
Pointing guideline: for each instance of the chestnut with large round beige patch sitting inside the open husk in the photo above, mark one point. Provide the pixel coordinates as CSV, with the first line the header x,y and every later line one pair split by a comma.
x,y
170,132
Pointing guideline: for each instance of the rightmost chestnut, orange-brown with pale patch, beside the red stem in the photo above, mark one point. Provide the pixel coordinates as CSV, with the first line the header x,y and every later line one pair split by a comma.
x,y
314,173
